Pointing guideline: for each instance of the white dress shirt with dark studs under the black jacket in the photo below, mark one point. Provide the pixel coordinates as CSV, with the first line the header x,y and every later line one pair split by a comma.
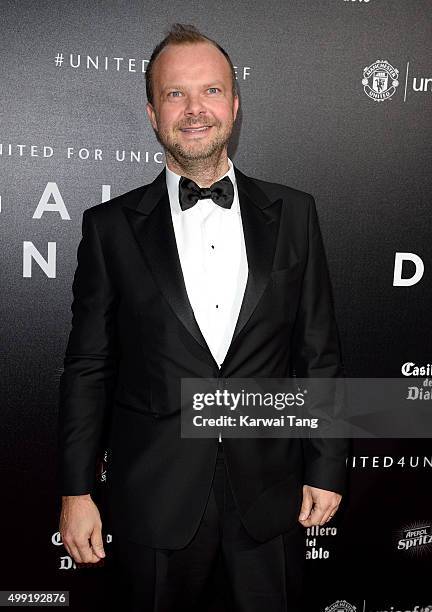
x,y
212,253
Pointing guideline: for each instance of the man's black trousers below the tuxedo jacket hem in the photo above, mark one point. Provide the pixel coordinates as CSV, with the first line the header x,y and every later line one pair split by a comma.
x,y
221,570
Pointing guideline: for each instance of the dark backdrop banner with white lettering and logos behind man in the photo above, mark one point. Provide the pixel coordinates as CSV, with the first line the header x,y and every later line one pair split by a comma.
x,y
335,100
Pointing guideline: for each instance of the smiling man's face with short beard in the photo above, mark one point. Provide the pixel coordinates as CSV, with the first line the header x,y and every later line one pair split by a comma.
x,y
193,109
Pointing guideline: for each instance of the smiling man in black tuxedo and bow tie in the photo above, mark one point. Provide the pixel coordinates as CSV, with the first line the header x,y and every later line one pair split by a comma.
x,y
205,272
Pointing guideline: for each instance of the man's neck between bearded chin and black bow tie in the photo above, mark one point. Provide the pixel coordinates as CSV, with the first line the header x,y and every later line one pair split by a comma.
x,y
203,171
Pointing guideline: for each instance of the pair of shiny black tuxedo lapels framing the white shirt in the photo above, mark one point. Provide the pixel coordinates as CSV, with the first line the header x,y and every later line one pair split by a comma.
x,y
151,224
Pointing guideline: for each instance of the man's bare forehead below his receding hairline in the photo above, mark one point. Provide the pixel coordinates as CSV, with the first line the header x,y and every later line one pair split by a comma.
x,y
191,62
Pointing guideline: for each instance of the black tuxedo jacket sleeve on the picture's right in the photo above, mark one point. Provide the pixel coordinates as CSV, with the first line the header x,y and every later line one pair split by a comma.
x,y
316,354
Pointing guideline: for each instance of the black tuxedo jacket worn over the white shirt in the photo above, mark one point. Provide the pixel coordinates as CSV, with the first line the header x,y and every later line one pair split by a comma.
x,y
134,336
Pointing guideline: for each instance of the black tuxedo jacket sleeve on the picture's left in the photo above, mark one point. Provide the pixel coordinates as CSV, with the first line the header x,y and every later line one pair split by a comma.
x,y
90,366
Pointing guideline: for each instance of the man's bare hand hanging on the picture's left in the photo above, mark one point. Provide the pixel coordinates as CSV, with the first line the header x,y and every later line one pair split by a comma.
x,y
80,521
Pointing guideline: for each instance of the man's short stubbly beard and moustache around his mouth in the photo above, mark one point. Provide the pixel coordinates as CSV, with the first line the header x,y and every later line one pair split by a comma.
x,y
199,149
